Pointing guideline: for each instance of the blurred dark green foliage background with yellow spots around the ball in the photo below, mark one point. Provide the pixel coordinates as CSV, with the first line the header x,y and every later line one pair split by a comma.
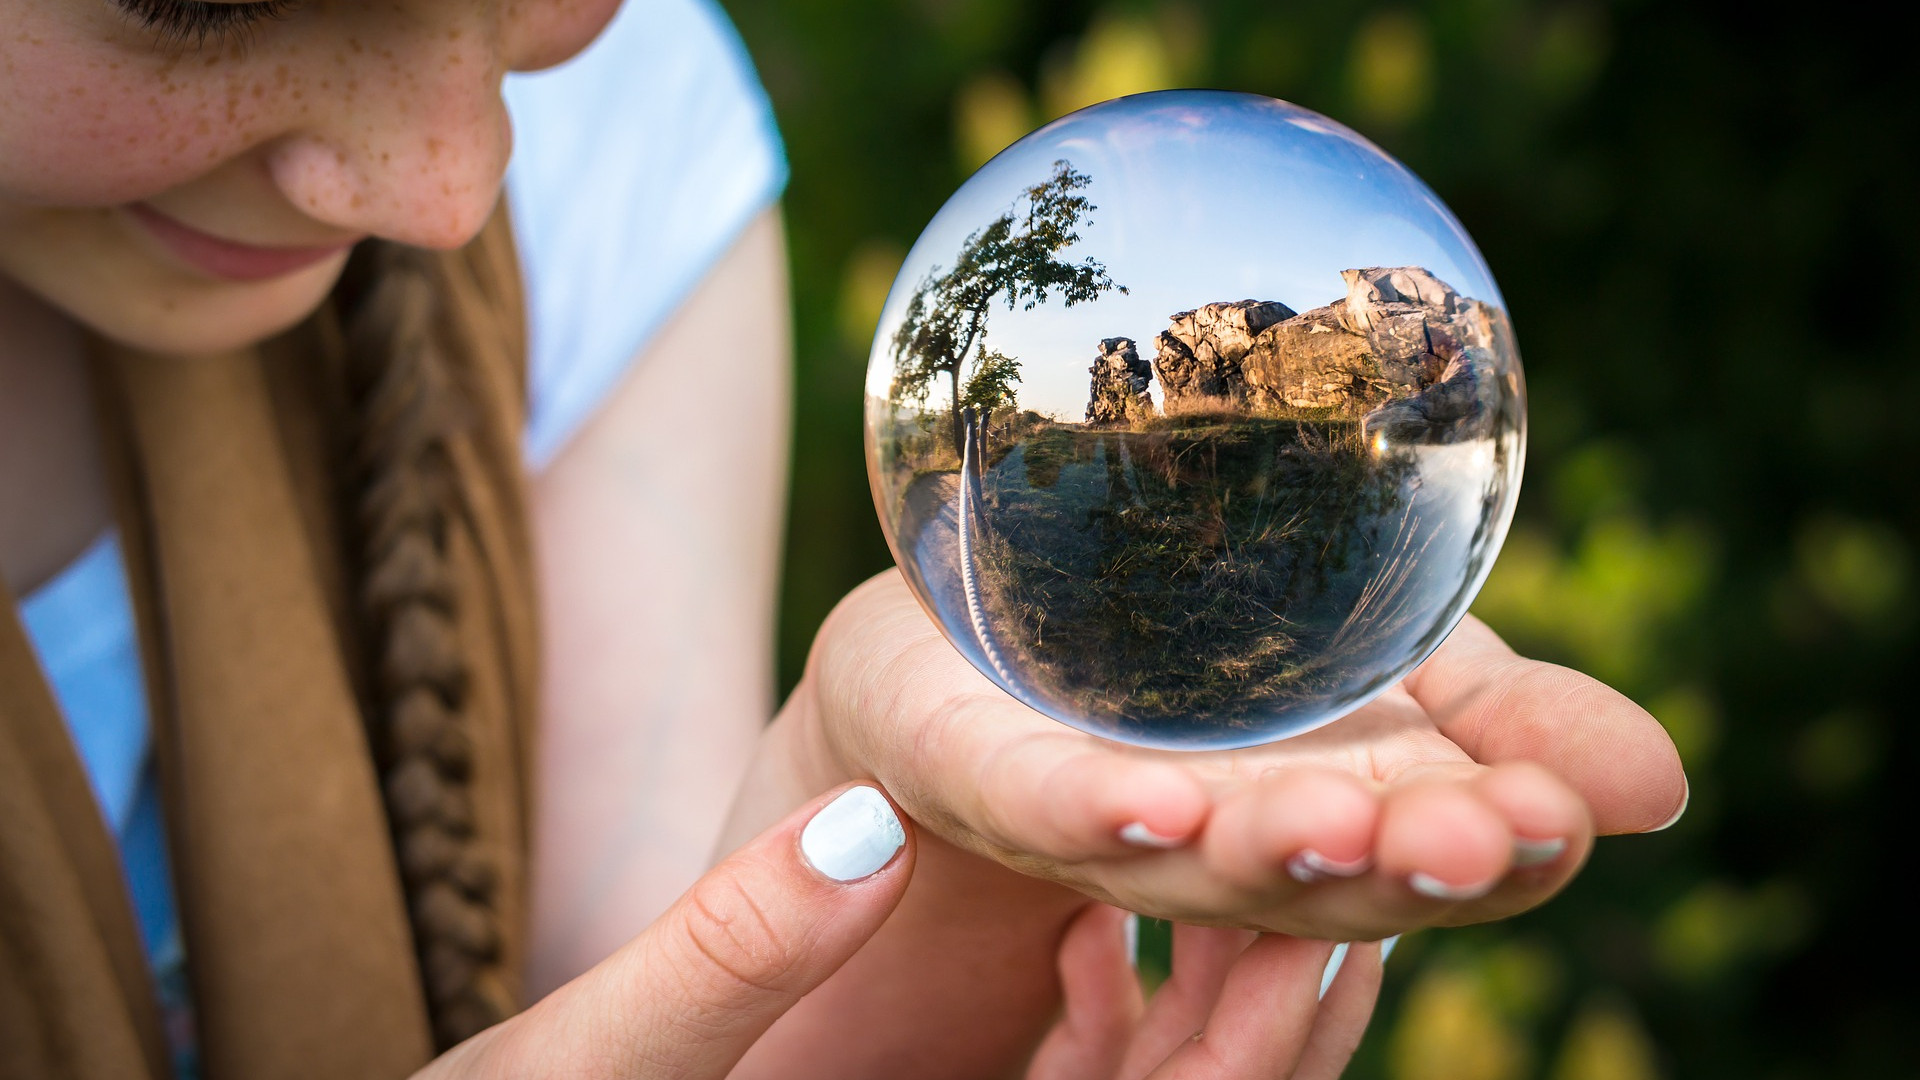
x,y
1704,222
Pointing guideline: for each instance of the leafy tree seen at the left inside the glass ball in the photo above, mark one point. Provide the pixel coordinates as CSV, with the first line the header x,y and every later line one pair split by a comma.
x,y
1013,260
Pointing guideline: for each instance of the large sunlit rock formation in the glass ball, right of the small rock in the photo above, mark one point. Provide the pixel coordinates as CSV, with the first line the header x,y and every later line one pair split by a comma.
x,y
1404,353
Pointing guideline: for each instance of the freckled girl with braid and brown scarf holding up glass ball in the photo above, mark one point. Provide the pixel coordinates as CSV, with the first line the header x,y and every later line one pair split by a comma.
x,y
279,418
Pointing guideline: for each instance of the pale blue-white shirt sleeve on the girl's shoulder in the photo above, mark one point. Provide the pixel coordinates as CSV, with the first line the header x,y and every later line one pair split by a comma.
x,y
636,166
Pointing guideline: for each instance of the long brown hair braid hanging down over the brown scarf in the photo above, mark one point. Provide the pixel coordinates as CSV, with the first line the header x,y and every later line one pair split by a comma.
x,y
404,503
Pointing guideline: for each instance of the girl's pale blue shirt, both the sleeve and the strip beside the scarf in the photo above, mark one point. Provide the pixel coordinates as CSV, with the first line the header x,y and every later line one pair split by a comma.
x,y
635,168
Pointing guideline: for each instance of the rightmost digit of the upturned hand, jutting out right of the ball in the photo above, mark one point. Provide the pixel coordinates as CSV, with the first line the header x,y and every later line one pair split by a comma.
x,y
1500,708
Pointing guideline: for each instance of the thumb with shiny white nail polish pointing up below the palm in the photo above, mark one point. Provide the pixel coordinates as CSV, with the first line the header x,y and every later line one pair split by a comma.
x,y
738,950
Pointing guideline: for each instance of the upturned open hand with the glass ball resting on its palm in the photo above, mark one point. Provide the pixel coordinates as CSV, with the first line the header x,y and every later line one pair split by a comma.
x,y
1468,793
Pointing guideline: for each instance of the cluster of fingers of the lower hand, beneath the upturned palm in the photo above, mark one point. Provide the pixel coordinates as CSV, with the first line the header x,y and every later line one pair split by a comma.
x,y
1239,1006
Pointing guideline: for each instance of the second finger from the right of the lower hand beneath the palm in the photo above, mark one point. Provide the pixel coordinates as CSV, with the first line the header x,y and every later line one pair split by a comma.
x,y
1266,1012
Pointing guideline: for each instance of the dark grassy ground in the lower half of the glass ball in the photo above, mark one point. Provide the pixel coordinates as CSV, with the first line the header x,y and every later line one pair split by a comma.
x,y
1195,570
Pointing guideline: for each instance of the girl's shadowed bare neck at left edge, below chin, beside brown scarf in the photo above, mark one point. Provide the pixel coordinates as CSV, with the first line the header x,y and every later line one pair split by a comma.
x,y
53,491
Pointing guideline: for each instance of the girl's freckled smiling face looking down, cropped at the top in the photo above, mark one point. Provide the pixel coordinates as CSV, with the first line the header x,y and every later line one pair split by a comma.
x,y
187,176
